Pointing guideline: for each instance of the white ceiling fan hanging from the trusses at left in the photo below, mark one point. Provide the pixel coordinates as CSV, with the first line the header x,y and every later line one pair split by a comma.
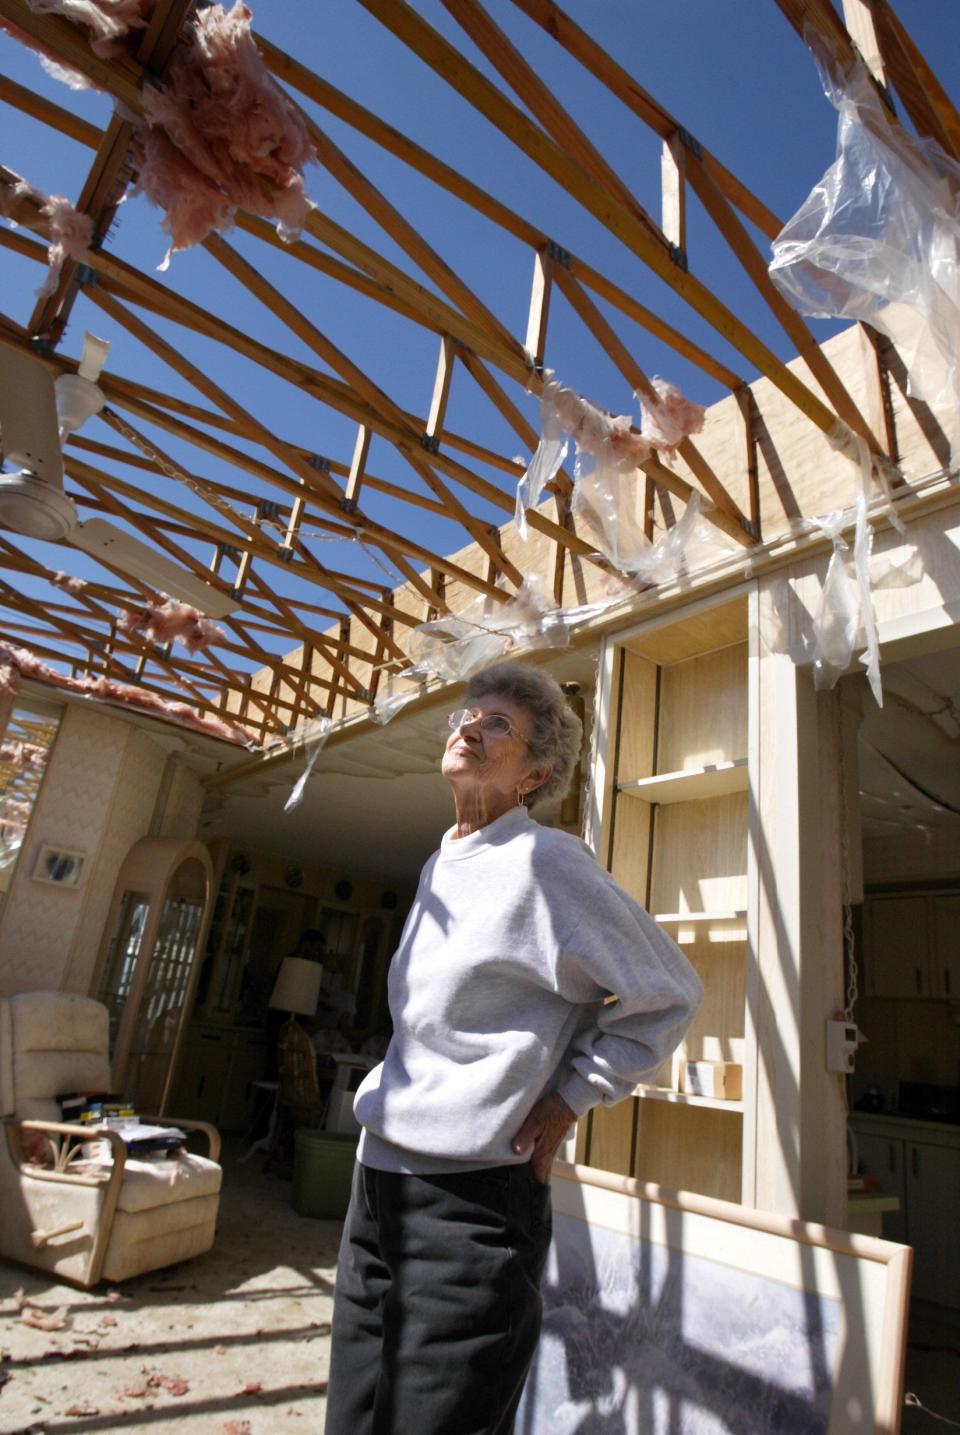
x,y
37,415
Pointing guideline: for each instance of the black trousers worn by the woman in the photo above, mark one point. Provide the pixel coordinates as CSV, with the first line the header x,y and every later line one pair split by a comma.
x,y
437,1308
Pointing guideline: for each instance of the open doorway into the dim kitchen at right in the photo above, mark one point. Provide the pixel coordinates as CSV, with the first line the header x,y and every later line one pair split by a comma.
x,y
905,1096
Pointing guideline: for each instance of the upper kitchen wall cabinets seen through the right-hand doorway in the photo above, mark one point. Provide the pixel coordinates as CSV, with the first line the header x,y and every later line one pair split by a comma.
x,y
912,946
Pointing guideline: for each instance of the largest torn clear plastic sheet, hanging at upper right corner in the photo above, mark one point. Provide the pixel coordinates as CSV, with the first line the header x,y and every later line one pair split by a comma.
x,y
880,233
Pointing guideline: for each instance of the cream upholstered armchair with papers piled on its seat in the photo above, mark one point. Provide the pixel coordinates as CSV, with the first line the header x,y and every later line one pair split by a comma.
x,y
87,1222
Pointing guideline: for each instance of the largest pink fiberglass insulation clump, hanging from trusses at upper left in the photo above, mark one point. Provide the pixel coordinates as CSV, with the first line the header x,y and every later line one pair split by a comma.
x,y
222,134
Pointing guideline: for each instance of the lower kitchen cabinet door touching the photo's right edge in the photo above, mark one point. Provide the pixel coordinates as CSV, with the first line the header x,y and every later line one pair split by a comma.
x,y
933,1222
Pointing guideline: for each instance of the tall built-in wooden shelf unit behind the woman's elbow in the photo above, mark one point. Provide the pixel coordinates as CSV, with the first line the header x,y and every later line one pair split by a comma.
x,y
675,836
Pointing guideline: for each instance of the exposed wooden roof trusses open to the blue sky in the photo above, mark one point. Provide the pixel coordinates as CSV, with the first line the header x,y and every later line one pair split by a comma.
x,y
286,503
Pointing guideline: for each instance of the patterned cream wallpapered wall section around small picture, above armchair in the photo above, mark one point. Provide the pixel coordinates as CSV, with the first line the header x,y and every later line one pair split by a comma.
x,y
98,797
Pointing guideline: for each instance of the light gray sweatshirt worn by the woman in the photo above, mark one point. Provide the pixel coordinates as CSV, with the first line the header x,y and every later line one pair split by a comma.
x,y
500,994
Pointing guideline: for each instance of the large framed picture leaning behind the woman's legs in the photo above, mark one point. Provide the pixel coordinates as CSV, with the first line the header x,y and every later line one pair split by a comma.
x,y
671,1314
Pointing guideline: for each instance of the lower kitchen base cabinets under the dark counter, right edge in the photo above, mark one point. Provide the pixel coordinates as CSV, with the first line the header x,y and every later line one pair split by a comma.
x,y
919,1163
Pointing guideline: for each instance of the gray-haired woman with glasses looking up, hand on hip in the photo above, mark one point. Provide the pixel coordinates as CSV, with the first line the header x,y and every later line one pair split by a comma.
x,y
504,1034
